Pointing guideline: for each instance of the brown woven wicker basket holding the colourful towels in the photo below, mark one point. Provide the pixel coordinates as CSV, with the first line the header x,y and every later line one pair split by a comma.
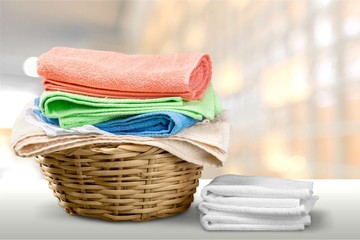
x,y
120,182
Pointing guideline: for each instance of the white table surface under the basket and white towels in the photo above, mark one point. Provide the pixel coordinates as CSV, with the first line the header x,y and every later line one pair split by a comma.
x,y
29,210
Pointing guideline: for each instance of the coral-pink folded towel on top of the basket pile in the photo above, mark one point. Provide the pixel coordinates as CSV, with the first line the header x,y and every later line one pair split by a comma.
x,y
116,75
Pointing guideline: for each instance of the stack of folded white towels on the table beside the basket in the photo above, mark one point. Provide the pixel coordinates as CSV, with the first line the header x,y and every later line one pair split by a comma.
x,y
250,203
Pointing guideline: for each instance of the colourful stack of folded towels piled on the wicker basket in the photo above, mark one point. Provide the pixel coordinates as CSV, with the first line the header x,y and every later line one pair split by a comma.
x,y
100,96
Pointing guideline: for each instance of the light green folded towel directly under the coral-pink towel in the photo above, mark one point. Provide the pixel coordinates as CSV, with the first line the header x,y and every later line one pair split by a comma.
x,y
74,110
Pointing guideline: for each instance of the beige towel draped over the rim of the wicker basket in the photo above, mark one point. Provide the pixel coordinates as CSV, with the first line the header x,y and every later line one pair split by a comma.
x,y
205,143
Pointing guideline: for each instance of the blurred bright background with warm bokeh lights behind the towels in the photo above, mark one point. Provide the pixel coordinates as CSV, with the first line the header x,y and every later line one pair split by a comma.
x,y
288,71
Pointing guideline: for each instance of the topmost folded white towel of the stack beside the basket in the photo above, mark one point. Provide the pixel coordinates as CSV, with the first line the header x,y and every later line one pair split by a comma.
x,y
252,186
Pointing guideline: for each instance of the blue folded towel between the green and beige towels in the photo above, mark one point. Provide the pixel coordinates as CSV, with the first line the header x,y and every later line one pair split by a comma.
x,y
153,124
